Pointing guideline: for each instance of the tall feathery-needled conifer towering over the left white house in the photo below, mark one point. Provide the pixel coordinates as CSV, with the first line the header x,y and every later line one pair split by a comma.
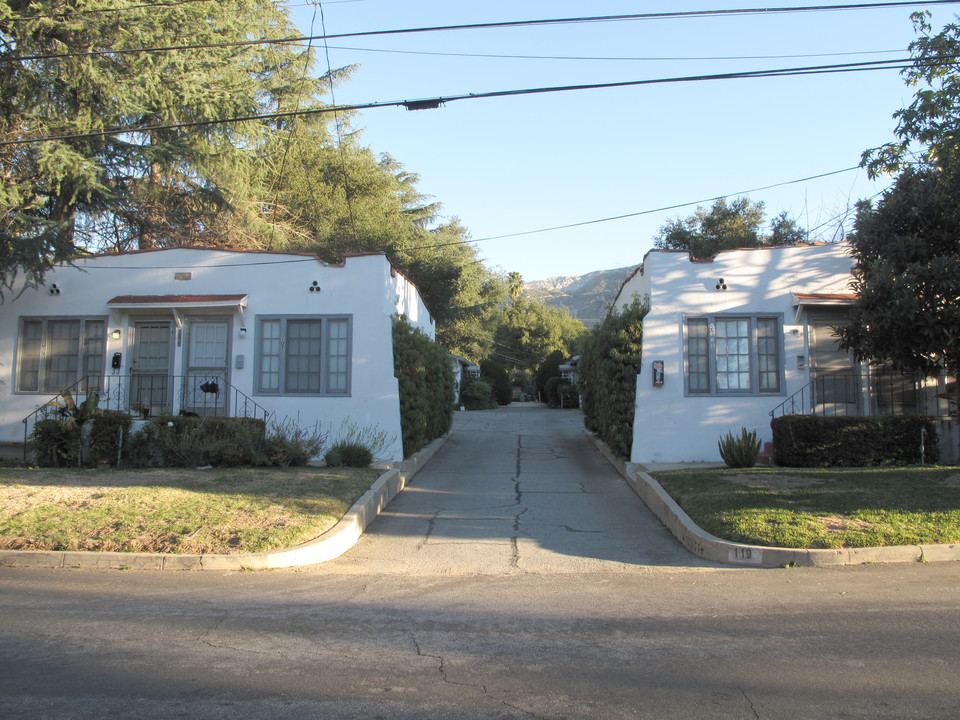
x,y
71,72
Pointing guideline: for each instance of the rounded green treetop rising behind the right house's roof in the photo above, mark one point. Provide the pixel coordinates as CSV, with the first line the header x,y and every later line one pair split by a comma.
x,y
726,227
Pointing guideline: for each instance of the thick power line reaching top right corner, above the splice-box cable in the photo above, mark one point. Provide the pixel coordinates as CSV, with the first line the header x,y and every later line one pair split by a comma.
x,y
497,25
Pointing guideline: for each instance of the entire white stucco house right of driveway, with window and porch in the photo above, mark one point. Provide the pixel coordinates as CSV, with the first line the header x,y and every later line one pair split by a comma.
x,y
730,342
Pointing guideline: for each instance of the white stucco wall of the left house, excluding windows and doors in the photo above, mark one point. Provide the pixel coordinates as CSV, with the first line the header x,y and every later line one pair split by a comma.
x,y
276,284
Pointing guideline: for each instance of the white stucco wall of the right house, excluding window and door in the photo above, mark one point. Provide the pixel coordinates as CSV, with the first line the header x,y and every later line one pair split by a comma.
x,y
674,426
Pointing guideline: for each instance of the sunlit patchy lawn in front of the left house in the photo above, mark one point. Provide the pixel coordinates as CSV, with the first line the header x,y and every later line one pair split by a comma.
x,y
221,510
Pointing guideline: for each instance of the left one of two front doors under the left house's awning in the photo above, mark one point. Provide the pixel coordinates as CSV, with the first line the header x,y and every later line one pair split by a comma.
x,y
150,391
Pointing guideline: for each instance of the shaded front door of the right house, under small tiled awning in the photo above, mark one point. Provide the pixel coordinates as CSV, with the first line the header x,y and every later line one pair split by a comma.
x,y
835,376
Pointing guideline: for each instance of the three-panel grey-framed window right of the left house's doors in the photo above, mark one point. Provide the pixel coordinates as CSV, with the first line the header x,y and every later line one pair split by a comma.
x,y
303,355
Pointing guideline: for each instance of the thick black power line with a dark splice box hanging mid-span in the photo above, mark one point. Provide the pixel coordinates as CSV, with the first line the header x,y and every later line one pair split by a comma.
x,y
433,103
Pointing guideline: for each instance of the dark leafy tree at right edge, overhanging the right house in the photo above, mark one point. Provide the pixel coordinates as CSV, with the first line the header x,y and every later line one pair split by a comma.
x,y
907,247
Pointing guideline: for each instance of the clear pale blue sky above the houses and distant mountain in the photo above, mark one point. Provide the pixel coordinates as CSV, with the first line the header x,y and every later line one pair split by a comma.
x,y
513,165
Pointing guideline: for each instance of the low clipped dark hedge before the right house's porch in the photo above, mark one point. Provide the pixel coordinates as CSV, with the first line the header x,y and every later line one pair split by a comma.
x,y
811,441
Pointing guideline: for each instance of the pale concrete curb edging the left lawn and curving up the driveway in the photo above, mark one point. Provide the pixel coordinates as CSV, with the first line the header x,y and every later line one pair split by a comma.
x,y
333,543
